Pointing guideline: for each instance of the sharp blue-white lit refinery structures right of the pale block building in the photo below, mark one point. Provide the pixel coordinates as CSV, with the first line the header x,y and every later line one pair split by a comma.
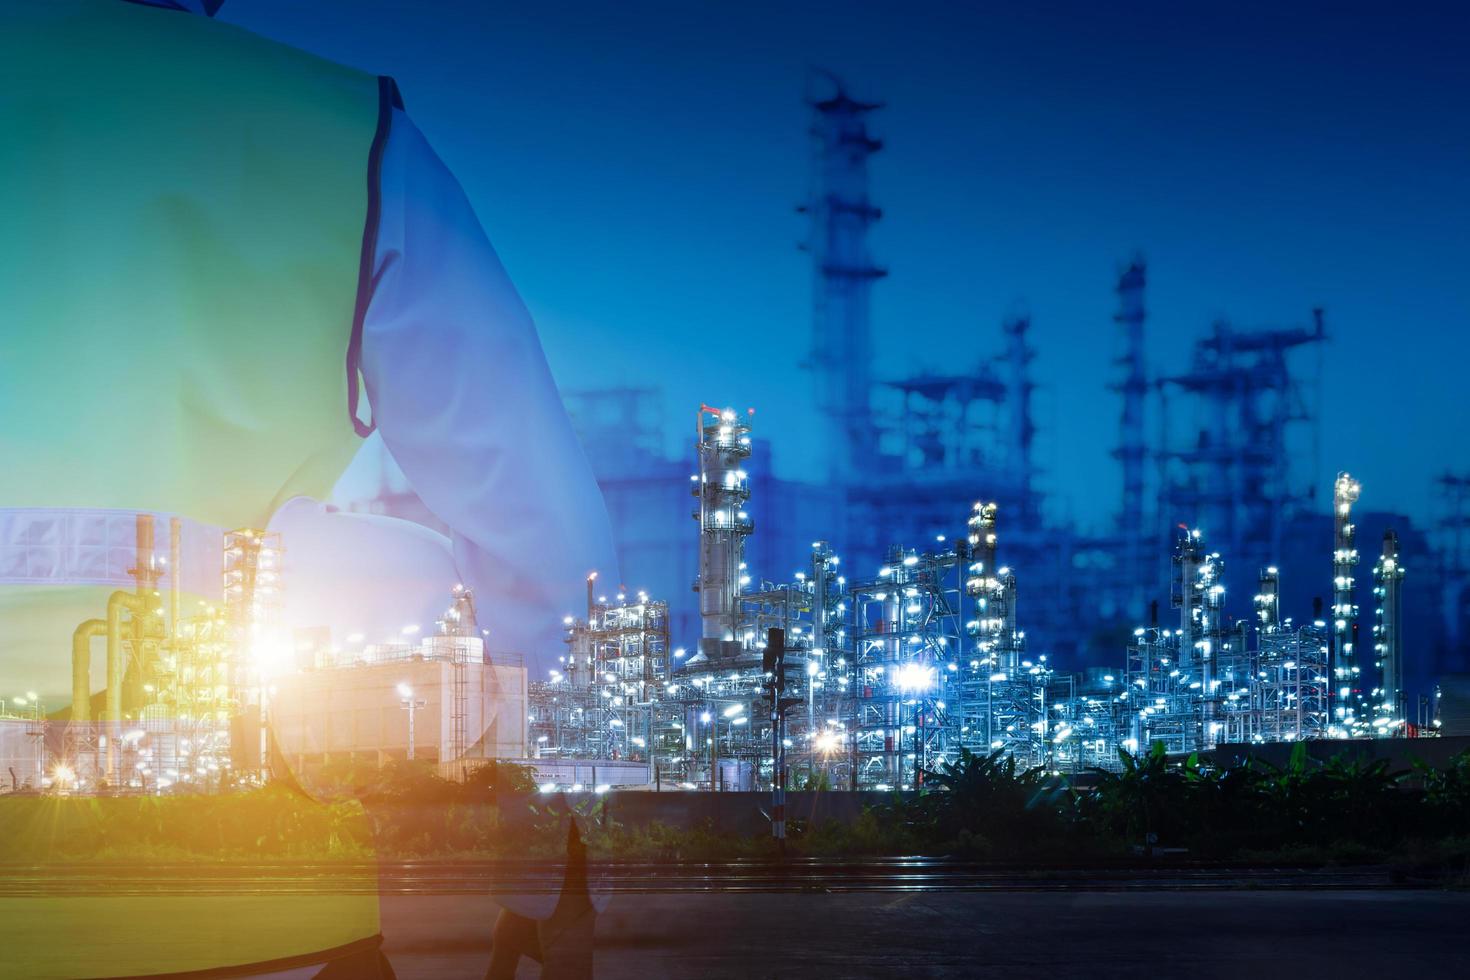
x,y
894,672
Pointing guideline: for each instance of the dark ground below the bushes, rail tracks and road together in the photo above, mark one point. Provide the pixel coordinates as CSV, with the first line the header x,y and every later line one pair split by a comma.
x,y
877,919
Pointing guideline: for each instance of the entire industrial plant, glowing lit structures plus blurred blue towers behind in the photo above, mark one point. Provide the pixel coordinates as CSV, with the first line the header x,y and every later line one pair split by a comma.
x,y
1227,608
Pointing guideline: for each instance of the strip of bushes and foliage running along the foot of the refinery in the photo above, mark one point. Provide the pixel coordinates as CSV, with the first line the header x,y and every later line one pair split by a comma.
x,y
980,807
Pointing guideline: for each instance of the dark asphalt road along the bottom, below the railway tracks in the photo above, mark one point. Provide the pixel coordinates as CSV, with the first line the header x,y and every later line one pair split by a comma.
x,y
1136,934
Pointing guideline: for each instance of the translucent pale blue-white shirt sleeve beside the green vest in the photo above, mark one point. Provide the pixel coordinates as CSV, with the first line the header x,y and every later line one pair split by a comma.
x,y
461,392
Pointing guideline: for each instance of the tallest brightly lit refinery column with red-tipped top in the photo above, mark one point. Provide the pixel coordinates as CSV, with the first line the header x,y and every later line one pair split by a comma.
x,y
723,489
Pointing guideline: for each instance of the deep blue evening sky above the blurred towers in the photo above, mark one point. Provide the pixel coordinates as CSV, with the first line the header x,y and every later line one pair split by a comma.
x,y
637,167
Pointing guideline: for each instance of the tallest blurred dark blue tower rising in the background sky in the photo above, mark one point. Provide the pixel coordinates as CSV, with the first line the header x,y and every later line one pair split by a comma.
x,y
842,355
